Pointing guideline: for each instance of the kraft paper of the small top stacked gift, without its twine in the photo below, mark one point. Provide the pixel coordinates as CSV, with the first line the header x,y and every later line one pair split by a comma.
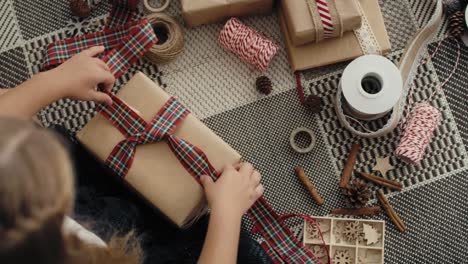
x,y
302,25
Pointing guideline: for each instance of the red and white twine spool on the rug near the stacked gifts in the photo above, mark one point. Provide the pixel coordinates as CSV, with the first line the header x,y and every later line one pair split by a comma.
x,y
248,44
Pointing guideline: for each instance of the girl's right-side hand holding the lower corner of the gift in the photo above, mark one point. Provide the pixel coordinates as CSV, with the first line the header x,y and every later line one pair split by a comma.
x,y
236,190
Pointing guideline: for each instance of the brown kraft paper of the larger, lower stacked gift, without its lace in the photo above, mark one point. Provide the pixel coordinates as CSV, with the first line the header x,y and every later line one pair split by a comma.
x,y
336,50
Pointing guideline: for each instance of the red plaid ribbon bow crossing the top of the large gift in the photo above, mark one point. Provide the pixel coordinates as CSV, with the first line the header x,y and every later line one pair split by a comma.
x,y
137,131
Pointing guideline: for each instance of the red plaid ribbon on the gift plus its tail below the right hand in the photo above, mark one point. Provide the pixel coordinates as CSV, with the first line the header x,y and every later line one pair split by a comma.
x,y
280,243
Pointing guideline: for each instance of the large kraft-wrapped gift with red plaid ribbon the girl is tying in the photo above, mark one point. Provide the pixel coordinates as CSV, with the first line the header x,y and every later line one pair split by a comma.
x,y
149,139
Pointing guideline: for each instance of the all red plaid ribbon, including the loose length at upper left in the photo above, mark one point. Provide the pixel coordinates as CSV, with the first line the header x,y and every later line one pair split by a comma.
x,y
125,42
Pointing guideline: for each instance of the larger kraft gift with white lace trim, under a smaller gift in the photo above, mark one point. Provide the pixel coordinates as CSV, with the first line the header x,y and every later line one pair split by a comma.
x,y
370,38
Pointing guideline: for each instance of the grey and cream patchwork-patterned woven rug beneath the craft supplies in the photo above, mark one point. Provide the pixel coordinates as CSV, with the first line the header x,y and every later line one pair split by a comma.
x,y
219,89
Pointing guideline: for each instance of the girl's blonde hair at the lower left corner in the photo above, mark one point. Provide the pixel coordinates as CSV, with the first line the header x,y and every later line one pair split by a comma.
x,y
36,192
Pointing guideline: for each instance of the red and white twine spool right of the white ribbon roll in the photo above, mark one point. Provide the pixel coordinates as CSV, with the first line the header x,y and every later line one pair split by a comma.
x,y
418,133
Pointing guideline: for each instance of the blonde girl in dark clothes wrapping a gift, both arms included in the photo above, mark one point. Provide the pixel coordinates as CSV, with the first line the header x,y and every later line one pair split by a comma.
x,y
37,189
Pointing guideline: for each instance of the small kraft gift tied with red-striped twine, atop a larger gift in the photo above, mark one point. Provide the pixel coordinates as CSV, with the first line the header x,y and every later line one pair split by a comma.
x,y
315,20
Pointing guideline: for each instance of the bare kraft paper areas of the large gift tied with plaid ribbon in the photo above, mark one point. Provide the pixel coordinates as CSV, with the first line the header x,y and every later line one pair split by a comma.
x,y
156,173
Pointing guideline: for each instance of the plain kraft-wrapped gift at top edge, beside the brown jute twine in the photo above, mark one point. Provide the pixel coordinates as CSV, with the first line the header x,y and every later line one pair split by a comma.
x,y
200,12
